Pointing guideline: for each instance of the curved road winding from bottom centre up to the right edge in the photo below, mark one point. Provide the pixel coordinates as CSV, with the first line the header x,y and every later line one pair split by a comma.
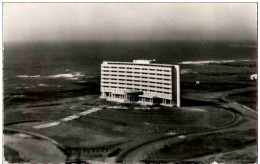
x,y
140,152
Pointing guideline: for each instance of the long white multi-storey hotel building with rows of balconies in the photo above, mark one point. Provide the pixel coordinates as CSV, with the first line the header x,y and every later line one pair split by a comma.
x,y
141,81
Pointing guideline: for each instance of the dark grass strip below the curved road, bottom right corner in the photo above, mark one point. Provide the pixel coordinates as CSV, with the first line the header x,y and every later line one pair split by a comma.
x,y
204,145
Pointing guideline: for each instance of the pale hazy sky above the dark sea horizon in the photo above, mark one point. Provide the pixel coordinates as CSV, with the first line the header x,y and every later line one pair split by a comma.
x,y
31,22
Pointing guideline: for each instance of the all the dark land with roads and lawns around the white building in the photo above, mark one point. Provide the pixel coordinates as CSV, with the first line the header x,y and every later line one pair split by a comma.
x,y
218,122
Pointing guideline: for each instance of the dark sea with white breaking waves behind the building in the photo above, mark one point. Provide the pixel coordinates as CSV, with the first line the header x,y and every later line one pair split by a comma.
x,y
47,71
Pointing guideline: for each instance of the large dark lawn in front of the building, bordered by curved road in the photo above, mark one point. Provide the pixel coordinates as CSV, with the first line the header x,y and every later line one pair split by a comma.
x,y
109,126
